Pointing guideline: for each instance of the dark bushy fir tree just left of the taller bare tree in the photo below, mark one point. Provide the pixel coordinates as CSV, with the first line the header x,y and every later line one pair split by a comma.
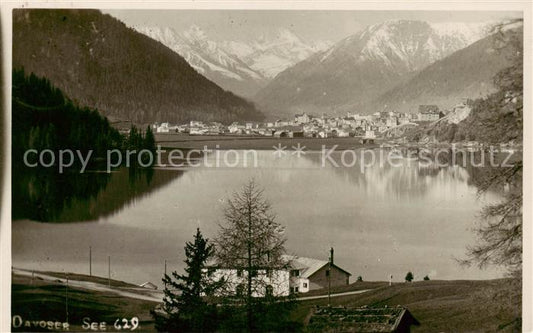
x,y
185,303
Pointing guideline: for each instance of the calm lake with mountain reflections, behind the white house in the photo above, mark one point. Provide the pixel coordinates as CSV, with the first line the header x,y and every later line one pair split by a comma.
x,y
380,219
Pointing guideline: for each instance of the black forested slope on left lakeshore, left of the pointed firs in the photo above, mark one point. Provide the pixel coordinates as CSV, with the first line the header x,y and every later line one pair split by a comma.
x,y
43,118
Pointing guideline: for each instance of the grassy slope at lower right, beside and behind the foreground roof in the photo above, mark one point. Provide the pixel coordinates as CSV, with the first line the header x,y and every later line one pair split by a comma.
x,y
442,306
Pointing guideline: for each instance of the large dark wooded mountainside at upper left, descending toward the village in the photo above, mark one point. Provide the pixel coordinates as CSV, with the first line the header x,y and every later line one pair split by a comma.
x,y
101,63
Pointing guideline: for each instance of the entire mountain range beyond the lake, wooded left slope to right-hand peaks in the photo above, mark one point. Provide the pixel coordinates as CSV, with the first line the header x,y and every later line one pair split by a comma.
x,y
148,74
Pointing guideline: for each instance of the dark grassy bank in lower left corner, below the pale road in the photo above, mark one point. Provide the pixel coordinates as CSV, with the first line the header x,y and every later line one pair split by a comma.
x,y
44,300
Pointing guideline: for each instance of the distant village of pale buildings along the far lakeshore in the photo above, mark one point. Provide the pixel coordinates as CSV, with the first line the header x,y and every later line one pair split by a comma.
x,y
306,125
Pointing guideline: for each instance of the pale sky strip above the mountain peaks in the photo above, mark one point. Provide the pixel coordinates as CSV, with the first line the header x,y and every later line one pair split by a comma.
x,y
310,25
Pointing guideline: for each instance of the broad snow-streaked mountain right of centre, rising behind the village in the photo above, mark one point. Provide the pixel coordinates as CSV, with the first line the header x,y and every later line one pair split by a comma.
x,y
355,74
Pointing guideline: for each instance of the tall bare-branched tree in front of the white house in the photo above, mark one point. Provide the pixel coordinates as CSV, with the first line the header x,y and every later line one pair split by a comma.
x,y
251,243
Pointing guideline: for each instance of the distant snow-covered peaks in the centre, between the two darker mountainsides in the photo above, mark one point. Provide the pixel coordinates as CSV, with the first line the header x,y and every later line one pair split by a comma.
x,y
243,67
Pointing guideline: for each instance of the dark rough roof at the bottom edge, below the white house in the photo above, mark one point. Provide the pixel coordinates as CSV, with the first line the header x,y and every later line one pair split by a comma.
x,y
359,319
